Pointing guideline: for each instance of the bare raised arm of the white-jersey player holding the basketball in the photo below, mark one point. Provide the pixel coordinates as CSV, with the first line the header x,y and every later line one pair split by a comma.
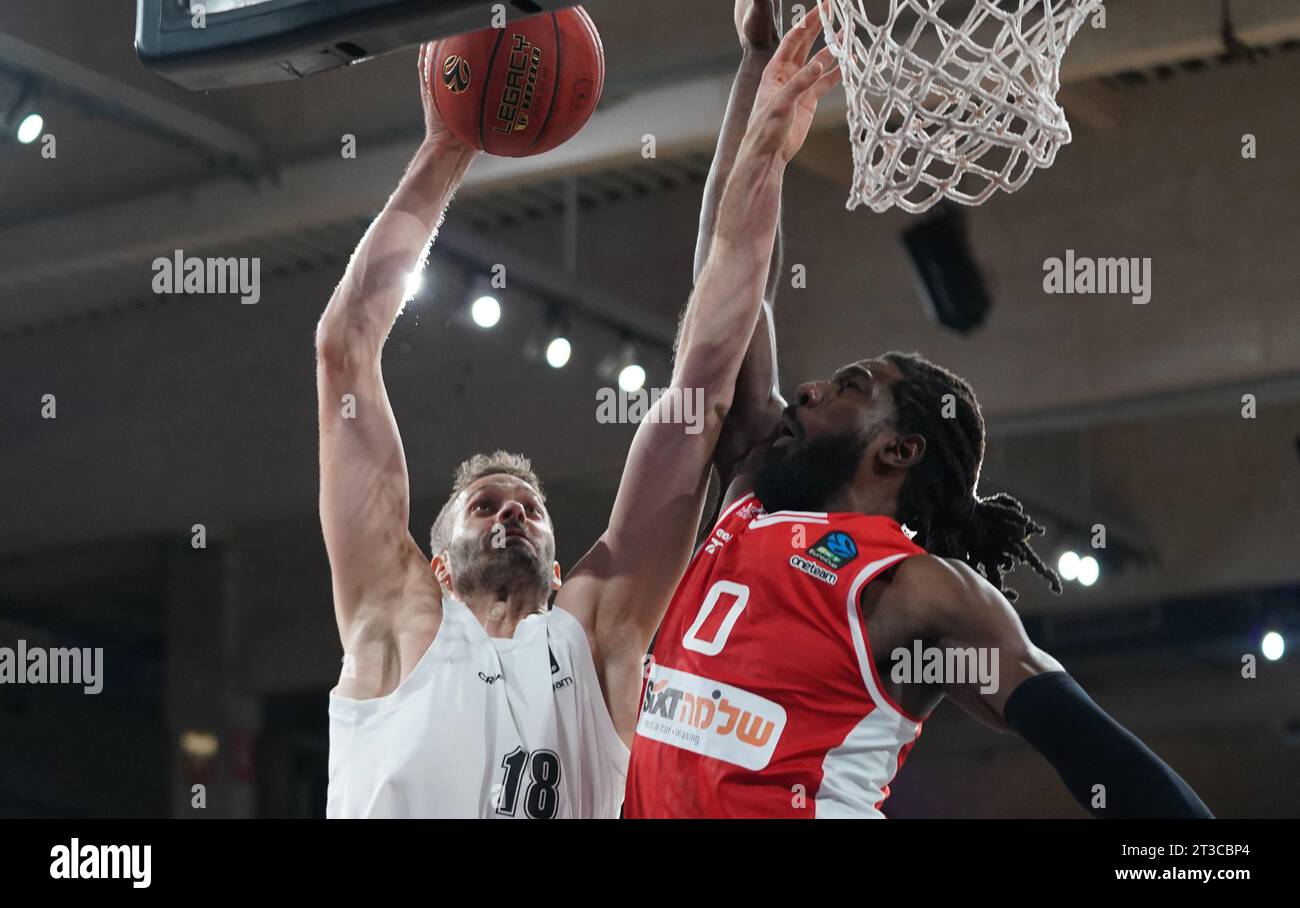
x,y
365,499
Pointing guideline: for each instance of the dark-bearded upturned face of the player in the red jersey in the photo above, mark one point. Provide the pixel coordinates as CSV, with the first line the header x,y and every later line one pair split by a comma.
x,y
825,438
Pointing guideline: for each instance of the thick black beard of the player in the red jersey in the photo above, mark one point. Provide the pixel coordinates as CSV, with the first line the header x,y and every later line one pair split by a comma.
x,y
808,475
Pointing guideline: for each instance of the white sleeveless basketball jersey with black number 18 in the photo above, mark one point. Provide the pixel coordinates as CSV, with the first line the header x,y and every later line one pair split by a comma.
x,y
483,728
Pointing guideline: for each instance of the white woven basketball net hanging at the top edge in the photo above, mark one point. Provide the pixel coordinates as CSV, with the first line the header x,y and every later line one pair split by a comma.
x,y
951,98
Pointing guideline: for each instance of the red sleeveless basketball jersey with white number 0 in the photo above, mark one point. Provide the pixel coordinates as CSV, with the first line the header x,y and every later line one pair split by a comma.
x,y
762,699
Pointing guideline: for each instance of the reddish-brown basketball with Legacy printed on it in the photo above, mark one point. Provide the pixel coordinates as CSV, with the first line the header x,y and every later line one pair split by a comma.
x,y
521,90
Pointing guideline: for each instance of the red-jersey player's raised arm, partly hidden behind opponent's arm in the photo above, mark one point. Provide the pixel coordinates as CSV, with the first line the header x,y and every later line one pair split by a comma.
x,y
757,403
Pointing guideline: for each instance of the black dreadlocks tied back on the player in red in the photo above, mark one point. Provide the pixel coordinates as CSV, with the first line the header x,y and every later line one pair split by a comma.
x,y
938,499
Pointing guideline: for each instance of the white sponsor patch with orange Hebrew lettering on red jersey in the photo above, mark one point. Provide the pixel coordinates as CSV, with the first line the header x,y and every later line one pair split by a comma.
x,y
710,719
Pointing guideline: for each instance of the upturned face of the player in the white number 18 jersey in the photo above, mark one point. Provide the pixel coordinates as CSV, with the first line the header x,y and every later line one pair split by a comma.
x,y
502,538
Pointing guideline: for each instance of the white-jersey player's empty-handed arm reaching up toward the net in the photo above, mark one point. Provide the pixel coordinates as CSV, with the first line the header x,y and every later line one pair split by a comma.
x,y
622,587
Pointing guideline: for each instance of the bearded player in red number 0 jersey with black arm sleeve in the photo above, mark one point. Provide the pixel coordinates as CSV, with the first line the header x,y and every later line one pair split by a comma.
x,y
770,691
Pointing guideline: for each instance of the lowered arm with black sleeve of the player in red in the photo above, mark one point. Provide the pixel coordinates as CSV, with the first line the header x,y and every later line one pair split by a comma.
x,y
1108,771
